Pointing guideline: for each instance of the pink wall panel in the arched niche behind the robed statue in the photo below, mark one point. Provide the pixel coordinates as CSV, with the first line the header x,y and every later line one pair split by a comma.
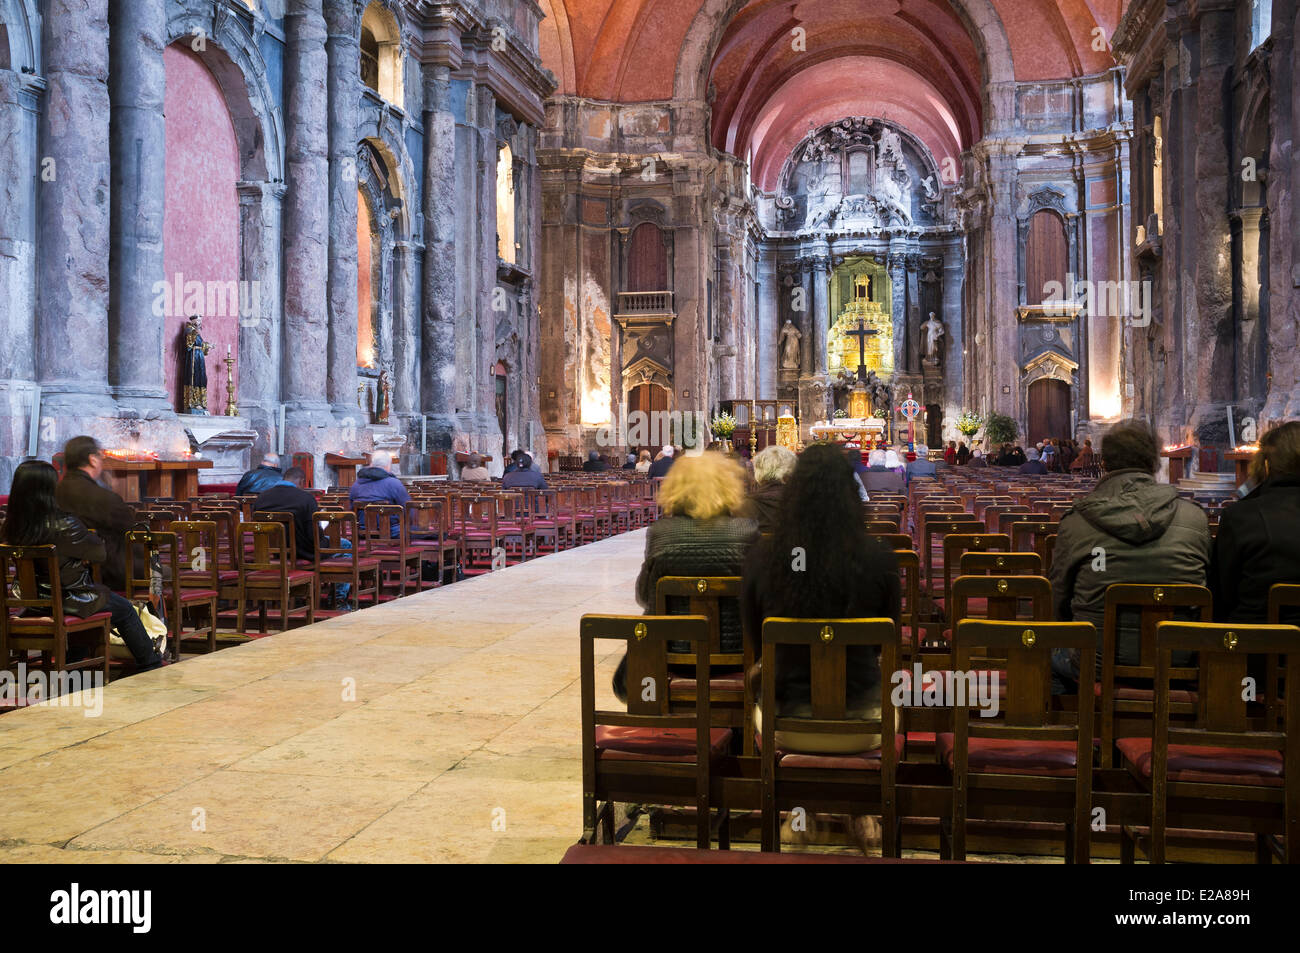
x,y
201,228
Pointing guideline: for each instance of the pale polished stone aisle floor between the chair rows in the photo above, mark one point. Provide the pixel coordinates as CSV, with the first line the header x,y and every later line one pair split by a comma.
x,y
462,743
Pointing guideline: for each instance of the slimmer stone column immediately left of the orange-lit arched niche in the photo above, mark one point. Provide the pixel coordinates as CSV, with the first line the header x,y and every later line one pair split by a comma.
x,y
344,19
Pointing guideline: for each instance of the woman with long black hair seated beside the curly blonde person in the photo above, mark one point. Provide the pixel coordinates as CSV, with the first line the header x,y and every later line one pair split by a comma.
x,y
847,577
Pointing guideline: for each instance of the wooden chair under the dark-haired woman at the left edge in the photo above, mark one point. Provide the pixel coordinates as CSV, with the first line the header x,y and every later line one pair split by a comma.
x,y
31,622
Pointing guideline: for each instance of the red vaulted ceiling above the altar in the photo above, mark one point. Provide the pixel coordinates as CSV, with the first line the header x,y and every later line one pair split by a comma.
x,y
779,68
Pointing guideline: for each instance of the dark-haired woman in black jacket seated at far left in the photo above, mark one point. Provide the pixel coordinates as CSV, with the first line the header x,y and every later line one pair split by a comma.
x,y
34,519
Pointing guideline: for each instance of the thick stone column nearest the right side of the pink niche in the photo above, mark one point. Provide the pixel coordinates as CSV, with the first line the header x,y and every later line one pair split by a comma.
x,y
306,218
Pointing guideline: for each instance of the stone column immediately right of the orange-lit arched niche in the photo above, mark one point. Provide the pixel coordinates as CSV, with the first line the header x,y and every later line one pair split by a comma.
x,y
439,322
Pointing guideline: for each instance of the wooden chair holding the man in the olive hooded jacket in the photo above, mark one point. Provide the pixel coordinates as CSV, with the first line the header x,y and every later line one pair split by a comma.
x,y
1128,711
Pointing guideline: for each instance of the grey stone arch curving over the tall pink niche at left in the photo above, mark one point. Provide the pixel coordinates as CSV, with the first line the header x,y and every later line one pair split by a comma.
x,y
229,50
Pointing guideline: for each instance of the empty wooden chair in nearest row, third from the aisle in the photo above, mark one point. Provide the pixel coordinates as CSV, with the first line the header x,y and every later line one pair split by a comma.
x,y
1037,763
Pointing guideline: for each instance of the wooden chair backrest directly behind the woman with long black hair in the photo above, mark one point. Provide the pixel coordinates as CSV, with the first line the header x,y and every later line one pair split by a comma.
x,y
827,642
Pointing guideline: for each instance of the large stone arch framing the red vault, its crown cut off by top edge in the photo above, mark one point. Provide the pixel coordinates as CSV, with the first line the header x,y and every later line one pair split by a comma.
x,y
983,24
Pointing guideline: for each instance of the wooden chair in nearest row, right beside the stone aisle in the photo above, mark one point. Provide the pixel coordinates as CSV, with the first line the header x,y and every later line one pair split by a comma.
x,y
649,753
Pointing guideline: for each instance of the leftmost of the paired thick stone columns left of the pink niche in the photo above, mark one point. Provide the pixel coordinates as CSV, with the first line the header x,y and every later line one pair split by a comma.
x,y
73,218
